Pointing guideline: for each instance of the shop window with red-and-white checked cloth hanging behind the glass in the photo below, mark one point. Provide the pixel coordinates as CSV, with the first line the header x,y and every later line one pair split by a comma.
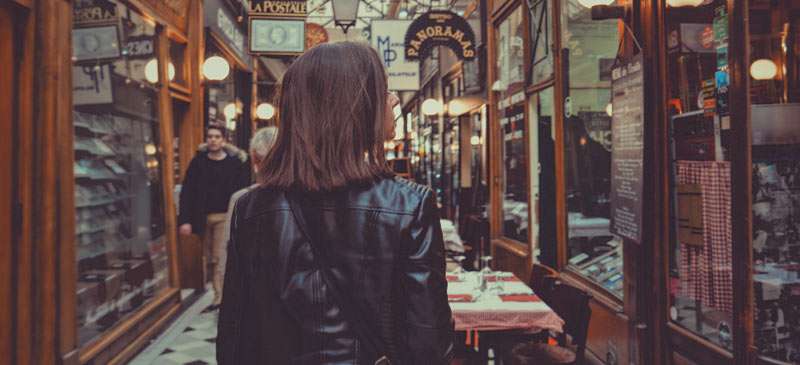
x,y
701,267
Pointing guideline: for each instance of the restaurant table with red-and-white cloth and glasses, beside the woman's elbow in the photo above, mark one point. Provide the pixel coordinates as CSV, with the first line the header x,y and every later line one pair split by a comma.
x,y
514,308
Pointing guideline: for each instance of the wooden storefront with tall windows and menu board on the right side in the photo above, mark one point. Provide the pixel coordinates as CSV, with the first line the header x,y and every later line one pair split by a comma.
x,y
716,94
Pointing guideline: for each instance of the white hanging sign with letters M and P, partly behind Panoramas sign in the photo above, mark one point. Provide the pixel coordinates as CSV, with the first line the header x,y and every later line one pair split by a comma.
x,y
388,40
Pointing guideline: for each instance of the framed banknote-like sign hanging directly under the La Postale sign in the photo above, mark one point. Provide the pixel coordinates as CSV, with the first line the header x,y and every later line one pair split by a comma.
x,y
277,36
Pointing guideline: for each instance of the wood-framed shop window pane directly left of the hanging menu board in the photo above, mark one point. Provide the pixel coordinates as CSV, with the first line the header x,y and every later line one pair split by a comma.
x,y
588,53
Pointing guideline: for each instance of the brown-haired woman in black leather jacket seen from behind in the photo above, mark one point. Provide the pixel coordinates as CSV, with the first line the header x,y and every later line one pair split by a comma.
x,y
332,260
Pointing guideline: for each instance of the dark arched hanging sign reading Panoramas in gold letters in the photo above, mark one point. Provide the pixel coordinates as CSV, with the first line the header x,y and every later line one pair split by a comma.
x,y
439,28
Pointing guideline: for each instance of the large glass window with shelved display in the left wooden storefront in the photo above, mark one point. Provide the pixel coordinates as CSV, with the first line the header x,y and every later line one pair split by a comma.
x,y
119,197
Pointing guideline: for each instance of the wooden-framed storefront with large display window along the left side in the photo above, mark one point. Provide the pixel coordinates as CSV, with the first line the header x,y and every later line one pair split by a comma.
x,y
101,100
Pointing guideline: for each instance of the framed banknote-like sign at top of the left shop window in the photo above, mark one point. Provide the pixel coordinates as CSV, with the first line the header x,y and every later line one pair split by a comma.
x,y
95,43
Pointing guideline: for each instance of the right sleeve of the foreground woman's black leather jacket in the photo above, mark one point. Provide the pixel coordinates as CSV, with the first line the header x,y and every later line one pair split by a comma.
x,y
427,331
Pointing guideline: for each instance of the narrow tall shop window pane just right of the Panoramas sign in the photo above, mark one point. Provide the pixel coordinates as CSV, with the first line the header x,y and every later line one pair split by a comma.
x,y
511,116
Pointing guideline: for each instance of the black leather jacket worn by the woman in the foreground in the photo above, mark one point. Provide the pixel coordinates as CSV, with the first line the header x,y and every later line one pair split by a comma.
x,y
388,256
